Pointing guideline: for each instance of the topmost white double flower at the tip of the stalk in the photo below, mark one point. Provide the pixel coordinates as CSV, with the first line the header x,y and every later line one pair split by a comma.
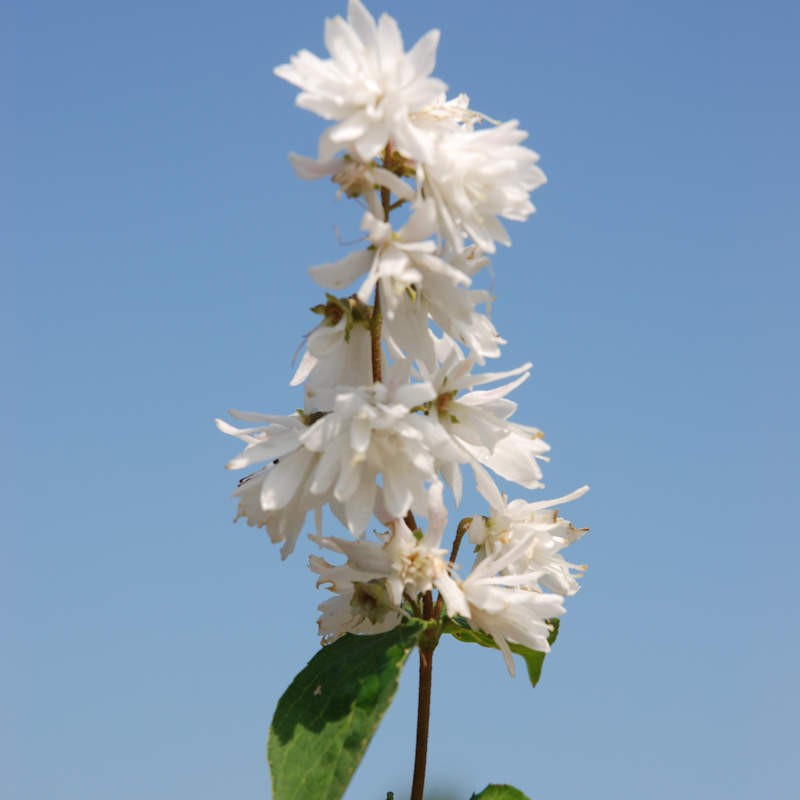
x,y
370,86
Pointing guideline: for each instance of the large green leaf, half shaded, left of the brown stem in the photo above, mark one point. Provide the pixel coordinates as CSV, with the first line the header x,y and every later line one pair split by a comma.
x,y
326,718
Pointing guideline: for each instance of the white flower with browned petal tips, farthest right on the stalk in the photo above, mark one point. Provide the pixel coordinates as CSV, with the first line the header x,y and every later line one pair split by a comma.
x,y
546,535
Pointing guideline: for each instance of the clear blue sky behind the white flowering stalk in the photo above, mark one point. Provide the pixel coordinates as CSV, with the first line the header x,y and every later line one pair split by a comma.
x,y
155,246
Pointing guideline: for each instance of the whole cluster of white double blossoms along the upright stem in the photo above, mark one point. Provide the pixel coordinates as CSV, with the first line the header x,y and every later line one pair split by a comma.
x,y
392,409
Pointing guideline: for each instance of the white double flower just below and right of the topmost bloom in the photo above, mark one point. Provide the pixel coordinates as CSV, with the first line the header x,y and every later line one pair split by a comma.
x,y
478,176
